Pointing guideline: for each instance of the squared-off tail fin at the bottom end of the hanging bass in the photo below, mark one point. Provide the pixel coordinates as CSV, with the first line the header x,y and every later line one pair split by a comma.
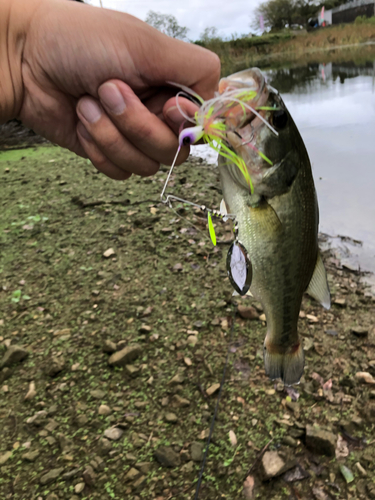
x,y
285,365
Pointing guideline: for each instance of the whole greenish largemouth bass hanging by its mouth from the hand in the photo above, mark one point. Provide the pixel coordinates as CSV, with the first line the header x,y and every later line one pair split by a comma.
x,y
278,223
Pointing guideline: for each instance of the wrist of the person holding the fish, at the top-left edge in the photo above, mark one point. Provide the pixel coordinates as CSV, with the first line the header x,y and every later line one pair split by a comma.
x,y
15,16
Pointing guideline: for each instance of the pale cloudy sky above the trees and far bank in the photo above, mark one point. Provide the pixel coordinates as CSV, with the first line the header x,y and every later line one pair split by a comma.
x,y
228,16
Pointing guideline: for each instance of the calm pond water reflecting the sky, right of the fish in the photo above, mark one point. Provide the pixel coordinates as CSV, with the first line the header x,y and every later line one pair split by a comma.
x,y
333,105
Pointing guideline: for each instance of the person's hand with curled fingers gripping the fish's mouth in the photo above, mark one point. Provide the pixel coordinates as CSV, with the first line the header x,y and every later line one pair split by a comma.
x,y
94,81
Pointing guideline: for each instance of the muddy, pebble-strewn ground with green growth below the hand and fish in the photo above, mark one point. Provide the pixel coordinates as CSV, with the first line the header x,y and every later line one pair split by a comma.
x,y
115,323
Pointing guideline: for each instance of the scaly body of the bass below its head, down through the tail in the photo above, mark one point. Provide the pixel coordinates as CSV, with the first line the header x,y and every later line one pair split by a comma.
x,y
280,237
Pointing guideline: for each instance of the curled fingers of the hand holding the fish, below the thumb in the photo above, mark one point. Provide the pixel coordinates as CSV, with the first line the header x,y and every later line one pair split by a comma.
x,y
121,134
